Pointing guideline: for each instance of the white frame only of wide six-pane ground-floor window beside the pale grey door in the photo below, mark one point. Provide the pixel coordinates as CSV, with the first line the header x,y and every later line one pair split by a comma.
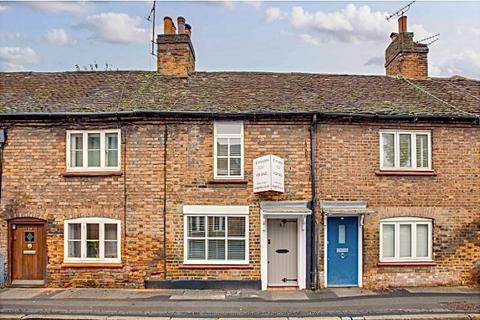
x,y
215,211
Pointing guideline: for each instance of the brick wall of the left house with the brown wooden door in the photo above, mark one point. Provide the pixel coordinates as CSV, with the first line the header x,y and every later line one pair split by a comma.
x,y
33,186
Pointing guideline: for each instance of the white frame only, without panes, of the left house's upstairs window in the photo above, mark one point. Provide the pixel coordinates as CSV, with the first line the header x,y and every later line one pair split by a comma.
x,y
102,167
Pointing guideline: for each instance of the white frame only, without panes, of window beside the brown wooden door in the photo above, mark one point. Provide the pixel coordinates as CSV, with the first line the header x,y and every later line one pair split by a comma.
x,y
83,222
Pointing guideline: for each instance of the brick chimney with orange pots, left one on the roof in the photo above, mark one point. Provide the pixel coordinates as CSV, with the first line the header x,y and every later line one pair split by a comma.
x,y
175,54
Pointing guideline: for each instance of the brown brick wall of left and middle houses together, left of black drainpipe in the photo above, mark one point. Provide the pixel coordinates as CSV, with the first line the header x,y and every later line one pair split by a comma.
x,y
33,185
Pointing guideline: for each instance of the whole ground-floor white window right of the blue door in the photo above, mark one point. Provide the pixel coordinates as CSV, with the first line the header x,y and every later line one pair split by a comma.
x,y
405,239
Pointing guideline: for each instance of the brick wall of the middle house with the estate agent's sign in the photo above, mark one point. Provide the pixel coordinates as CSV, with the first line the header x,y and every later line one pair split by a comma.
x,y
190,167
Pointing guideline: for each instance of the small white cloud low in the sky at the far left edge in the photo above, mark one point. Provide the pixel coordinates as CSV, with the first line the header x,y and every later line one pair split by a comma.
x,y
16,58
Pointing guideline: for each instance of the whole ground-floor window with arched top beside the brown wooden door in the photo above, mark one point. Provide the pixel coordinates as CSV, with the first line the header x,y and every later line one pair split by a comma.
x,y
92,240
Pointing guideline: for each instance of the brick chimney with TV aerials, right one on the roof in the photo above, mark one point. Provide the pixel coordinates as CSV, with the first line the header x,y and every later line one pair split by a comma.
x,y
404,56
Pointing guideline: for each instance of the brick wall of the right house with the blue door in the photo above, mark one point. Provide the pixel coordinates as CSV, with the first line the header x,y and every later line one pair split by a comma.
x,y
347,159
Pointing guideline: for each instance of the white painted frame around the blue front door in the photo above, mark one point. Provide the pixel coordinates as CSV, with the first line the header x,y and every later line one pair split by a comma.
x,y
360,245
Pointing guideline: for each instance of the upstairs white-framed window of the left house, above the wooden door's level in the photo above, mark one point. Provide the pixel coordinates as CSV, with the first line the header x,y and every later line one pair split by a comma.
x,y
97,150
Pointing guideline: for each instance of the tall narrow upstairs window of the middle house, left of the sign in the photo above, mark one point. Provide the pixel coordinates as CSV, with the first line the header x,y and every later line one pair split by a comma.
x,y
228,150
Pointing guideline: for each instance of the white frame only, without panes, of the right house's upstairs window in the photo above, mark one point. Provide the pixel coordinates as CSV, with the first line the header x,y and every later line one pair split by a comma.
x,y
413,154
